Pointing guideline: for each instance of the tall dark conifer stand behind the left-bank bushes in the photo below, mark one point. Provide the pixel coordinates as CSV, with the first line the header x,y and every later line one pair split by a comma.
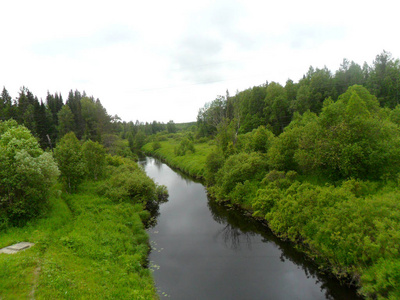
x,y
52,119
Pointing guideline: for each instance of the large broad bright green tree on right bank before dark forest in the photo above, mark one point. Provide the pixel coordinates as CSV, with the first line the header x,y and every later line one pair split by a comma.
x,y
351,139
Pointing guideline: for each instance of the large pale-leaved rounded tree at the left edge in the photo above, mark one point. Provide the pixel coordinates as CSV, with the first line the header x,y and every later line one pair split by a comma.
x,y
26,174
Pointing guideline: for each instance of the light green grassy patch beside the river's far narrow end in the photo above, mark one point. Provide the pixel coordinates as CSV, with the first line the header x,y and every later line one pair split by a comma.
x,y
191,163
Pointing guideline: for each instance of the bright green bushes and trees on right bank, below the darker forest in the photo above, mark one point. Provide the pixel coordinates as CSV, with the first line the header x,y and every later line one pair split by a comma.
x,y
328,182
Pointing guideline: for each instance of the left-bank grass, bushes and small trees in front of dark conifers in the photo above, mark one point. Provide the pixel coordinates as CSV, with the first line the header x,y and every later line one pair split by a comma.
x,y
88,231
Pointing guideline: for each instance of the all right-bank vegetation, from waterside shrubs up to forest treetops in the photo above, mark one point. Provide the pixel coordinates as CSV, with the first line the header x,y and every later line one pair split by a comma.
x,y
325,176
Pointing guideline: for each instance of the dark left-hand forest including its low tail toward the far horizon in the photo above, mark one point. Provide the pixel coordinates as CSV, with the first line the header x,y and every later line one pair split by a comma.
x,y
49,121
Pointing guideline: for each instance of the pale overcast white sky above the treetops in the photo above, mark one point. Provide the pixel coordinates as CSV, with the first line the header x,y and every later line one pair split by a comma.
x,y
163,60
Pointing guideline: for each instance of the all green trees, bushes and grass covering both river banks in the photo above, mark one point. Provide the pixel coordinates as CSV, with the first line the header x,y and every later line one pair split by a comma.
x,y
317,159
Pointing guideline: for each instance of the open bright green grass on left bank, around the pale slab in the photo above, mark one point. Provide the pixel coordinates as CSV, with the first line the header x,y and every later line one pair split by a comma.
x,y
86,248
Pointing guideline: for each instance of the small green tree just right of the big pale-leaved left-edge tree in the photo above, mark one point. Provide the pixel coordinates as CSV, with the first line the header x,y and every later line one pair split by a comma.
x,y
68,154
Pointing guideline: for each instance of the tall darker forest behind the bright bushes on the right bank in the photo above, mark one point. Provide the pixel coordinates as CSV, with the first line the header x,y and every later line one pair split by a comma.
x,y
274,105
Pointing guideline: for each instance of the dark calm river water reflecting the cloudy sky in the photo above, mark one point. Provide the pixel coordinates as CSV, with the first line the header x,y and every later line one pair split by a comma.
x,y
201,250
